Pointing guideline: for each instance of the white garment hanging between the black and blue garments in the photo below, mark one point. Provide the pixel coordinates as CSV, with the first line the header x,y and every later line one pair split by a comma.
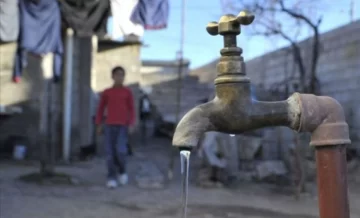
x,y
122,26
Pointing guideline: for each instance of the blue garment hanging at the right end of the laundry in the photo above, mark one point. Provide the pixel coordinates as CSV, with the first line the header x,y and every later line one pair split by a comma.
x,y
151,14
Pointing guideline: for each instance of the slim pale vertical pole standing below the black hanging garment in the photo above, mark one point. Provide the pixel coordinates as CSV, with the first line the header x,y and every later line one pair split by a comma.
x,y
67,95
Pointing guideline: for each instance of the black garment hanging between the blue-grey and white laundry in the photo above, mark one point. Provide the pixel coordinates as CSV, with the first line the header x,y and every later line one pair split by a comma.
x,y
86,17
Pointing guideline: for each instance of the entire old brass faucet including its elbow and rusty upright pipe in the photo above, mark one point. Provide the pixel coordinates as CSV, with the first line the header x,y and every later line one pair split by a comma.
x,y
233,111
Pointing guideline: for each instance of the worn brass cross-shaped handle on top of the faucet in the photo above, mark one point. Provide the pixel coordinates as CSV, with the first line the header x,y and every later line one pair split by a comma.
x,y
230,24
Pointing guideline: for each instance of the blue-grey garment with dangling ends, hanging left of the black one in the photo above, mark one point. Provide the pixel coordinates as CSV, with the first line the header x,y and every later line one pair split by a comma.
x,y
40,33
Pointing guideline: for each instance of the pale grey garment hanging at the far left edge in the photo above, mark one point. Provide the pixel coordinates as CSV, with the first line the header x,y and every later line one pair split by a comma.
x,y
9,20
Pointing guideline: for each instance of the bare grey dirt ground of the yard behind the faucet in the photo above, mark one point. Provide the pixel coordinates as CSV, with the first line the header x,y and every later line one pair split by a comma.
x,y
90,199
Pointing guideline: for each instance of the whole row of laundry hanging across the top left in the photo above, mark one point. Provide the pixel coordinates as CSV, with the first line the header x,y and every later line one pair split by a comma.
x,y
36,24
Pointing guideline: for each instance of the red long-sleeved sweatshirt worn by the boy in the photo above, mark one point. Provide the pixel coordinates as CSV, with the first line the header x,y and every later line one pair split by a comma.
x,y
119,104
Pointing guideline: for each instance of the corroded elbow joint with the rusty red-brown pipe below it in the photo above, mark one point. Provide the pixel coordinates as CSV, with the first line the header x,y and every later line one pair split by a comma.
x,y
325,119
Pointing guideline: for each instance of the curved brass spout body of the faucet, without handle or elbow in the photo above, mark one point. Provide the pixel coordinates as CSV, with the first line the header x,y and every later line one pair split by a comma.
x,y
234,116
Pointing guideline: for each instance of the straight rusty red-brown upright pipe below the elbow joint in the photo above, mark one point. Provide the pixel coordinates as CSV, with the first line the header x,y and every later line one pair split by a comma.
x,y
332,181
